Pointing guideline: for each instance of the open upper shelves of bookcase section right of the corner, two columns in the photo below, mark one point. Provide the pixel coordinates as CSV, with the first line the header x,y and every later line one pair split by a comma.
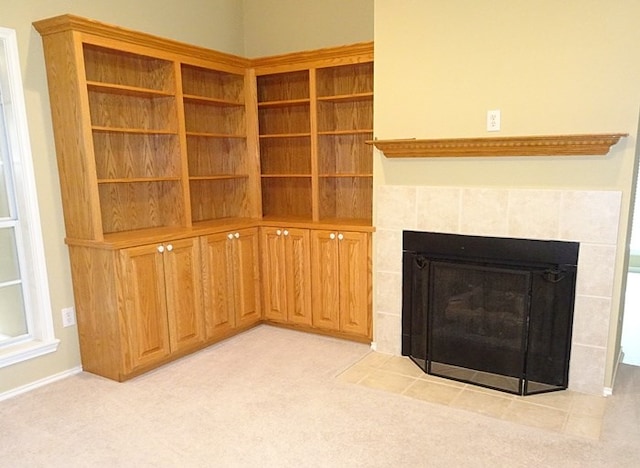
x,y
313,126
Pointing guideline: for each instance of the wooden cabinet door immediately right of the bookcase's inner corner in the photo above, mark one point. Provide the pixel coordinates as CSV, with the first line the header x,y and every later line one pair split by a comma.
x,y
273,278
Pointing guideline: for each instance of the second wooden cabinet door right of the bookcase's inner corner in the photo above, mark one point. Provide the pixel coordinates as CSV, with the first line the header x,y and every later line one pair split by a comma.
x,y
297,275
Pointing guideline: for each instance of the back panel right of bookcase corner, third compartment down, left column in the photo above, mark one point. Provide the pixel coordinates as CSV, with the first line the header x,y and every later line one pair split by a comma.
x,y
285,155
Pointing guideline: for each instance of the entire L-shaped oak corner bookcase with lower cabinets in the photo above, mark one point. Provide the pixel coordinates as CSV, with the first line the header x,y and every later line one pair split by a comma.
x,y
204,193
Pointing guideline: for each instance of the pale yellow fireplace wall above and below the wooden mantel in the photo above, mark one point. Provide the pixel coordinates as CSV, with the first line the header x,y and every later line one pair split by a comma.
x,y
550,67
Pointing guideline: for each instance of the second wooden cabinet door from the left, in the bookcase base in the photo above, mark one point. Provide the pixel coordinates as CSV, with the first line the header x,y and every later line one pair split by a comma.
x,y
183,280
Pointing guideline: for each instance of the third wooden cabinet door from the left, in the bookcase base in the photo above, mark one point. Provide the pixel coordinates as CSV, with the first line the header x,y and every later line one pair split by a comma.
x,y
217,285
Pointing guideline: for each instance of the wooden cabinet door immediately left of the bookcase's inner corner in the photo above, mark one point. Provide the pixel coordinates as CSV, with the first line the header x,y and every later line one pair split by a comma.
x,y
246,276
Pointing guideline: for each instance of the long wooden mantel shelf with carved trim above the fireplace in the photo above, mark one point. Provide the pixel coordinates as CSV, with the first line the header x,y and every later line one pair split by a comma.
x,y
548,145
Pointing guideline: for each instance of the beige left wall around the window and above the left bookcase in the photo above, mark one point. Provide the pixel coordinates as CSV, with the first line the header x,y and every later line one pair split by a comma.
x,y
210,23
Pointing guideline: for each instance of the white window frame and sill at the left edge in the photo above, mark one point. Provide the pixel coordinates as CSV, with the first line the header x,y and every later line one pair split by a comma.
x,y
40,338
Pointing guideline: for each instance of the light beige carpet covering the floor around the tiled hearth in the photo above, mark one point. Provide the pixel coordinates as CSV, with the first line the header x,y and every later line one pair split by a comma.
x,y
271,398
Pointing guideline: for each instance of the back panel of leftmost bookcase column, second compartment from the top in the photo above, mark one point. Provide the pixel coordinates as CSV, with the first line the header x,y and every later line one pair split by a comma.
x,y
133,112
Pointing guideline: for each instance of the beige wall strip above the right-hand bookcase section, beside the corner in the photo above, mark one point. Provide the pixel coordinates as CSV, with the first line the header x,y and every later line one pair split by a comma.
x,y
279,26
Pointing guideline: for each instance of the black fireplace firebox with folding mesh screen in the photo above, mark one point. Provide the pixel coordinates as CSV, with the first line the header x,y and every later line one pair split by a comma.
x,y
494,312
